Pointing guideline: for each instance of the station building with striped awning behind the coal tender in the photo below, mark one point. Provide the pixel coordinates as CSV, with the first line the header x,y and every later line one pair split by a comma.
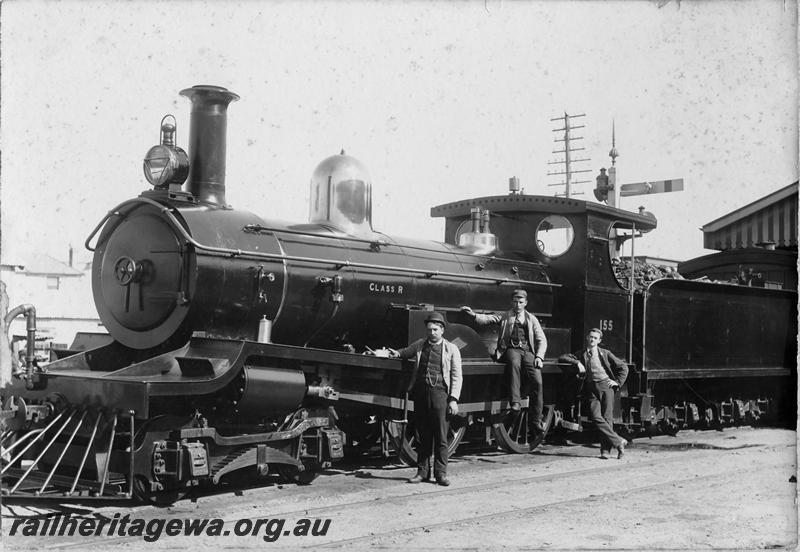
x,y
757,244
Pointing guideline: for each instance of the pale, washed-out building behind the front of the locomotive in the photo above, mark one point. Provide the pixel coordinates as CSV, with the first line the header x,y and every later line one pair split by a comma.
x,y
60,291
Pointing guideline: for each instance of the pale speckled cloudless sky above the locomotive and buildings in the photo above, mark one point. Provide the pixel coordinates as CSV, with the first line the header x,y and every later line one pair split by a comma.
x,y
440,100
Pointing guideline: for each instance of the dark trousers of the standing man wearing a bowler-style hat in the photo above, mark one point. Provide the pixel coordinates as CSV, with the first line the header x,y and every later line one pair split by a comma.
x,y
430,411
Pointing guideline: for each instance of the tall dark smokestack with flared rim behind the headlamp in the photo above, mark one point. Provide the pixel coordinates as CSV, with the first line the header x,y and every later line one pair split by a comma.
x,y
209,122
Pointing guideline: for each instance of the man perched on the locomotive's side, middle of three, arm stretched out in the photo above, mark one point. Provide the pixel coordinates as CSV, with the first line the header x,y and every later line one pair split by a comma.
x,y
520,343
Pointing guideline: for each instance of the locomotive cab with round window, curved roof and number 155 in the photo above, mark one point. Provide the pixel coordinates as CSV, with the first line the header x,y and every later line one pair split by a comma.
x,y
577,241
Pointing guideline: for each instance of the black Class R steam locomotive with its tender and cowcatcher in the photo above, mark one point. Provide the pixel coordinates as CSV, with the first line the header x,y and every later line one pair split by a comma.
x,y
235,343
